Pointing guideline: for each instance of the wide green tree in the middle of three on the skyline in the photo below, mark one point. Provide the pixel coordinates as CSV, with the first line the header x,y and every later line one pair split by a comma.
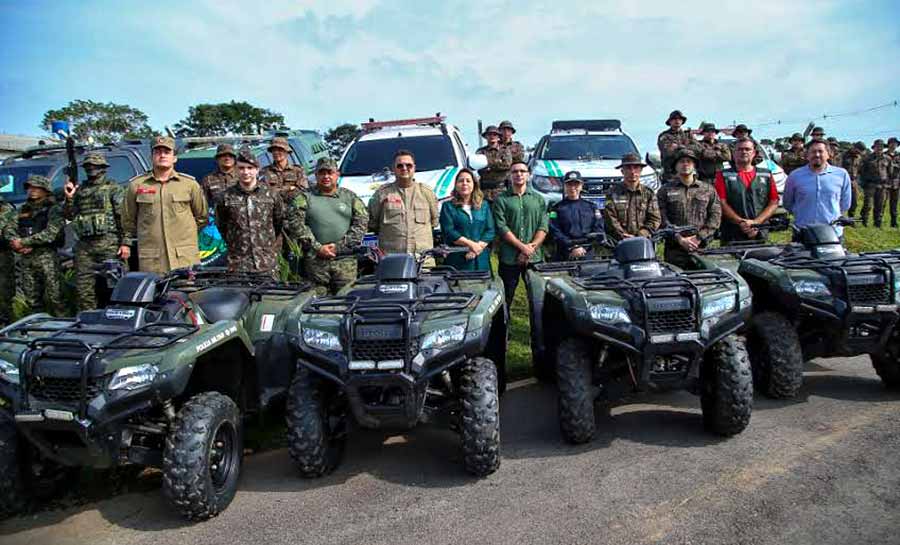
x,y
227,118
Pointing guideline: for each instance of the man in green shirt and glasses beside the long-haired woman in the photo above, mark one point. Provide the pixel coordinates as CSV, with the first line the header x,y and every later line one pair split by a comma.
x,y
522,223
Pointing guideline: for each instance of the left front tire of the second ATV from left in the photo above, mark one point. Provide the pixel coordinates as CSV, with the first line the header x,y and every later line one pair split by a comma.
x,y
313,443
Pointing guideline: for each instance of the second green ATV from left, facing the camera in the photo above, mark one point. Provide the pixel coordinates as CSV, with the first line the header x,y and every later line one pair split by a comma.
x,y
404,346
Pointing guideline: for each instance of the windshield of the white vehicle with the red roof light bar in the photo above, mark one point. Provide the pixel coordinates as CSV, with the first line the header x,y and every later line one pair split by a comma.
x,y
370,156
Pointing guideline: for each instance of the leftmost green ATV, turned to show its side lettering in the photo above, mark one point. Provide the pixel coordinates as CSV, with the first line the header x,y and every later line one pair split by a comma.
x,y
161,377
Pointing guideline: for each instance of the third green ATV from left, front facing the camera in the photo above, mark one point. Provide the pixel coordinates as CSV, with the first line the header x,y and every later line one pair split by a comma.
x,y
634,323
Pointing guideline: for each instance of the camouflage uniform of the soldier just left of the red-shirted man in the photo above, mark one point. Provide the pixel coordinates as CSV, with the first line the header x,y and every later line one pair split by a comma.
x,y
695,204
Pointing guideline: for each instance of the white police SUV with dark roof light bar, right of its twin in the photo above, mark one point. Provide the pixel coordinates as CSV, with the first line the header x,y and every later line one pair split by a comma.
x,y
592,147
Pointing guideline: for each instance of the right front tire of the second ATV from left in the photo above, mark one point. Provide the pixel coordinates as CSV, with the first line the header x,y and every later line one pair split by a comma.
x,y
480,417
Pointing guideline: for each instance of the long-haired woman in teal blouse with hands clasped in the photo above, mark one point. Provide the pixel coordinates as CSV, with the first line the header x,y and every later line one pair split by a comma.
x,y
466,220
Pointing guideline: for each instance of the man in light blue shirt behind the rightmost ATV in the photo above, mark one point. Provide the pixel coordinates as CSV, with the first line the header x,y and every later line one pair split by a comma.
x,y
817,192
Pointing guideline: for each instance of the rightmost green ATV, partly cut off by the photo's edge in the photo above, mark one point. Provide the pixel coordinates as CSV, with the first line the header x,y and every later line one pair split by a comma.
x,y
811,299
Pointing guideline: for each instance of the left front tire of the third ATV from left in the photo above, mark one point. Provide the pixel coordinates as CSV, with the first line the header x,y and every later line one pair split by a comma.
x,y
574,378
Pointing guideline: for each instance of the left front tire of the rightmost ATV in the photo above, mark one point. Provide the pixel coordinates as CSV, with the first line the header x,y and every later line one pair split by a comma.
x,y
775,356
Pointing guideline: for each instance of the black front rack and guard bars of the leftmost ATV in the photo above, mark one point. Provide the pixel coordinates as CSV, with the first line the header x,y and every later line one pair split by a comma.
x,y
67,343
